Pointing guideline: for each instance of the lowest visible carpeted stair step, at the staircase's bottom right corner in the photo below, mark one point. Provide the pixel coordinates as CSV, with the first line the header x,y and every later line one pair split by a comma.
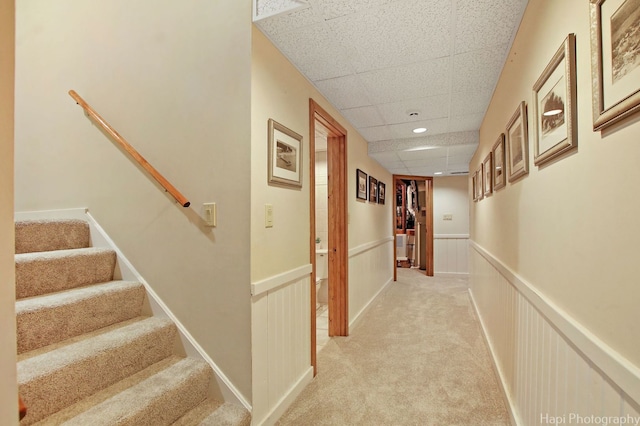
x,y
214,413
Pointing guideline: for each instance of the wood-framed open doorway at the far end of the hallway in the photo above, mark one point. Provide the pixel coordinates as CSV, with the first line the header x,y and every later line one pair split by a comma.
x,y
413,223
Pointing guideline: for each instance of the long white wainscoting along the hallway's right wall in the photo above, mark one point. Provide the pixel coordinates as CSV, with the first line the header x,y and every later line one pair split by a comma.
x,y
552,369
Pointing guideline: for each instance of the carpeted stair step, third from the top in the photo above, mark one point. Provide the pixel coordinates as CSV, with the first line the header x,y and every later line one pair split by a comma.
x,y
44,320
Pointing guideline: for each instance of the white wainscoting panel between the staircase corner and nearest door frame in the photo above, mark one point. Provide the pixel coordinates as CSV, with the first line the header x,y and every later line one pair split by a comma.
x,y
281,342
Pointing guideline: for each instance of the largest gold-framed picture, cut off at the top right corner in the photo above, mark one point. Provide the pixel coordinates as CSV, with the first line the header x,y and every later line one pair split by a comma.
x,y
615,60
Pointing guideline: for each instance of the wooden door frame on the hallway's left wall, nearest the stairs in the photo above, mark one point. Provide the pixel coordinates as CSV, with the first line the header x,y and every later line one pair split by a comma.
x,y
338,248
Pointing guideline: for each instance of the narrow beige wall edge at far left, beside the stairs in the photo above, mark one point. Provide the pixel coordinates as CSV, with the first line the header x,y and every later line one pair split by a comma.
x,y
8,388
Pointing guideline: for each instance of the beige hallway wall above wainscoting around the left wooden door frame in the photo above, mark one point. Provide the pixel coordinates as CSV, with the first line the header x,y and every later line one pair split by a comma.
x,y
280,92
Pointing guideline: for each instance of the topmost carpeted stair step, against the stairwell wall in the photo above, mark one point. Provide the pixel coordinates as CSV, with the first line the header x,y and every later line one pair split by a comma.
x,y
48,235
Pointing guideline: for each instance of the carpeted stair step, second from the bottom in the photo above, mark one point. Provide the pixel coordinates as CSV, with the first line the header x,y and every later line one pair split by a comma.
x,y
158,400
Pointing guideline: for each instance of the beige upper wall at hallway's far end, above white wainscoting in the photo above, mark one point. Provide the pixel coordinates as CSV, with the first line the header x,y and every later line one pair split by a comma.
x,y
451,197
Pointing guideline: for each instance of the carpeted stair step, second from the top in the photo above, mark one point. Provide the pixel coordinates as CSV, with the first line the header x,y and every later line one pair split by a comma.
x,y
52,271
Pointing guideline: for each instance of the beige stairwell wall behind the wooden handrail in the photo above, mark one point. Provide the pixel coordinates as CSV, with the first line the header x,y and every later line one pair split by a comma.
x,y
174,79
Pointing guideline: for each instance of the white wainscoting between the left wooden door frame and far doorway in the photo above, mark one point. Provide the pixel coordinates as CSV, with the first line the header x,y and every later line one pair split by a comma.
x,y
370,270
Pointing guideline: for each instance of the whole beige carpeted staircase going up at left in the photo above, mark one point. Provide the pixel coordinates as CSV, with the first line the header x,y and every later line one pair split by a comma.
x,y
86,353
